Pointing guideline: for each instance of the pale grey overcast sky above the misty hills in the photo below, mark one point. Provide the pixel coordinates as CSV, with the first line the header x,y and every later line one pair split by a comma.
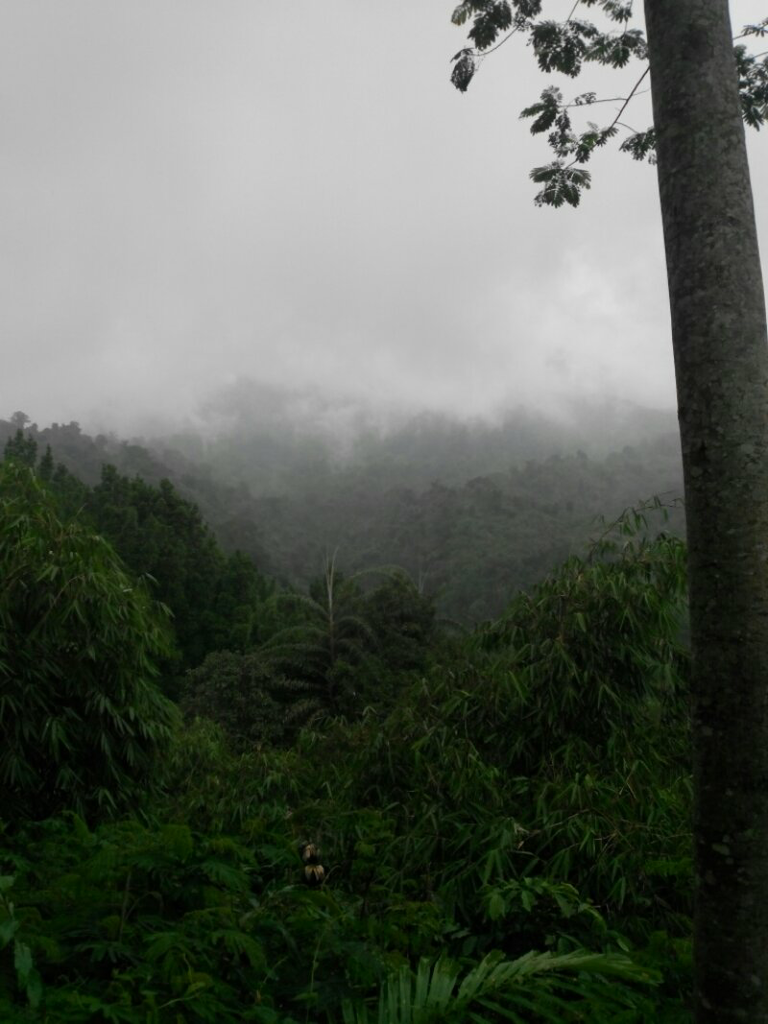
x,y
193,192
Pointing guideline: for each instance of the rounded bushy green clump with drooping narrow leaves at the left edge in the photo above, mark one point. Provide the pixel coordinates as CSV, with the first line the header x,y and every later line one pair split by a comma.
x,y
82,720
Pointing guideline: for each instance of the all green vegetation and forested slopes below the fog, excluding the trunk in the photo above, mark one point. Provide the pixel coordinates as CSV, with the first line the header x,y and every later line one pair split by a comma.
x,y
239,787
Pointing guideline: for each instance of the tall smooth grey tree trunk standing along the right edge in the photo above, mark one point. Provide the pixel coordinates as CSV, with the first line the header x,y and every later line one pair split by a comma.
x,y
721,365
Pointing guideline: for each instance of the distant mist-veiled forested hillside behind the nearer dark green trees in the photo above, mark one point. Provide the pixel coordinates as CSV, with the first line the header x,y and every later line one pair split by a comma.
x,y
473,513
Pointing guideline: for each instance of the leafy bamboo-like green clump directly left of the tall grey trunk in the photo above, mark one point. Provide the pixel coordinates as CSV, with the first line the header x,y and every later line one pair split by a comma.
x,y
593,653
